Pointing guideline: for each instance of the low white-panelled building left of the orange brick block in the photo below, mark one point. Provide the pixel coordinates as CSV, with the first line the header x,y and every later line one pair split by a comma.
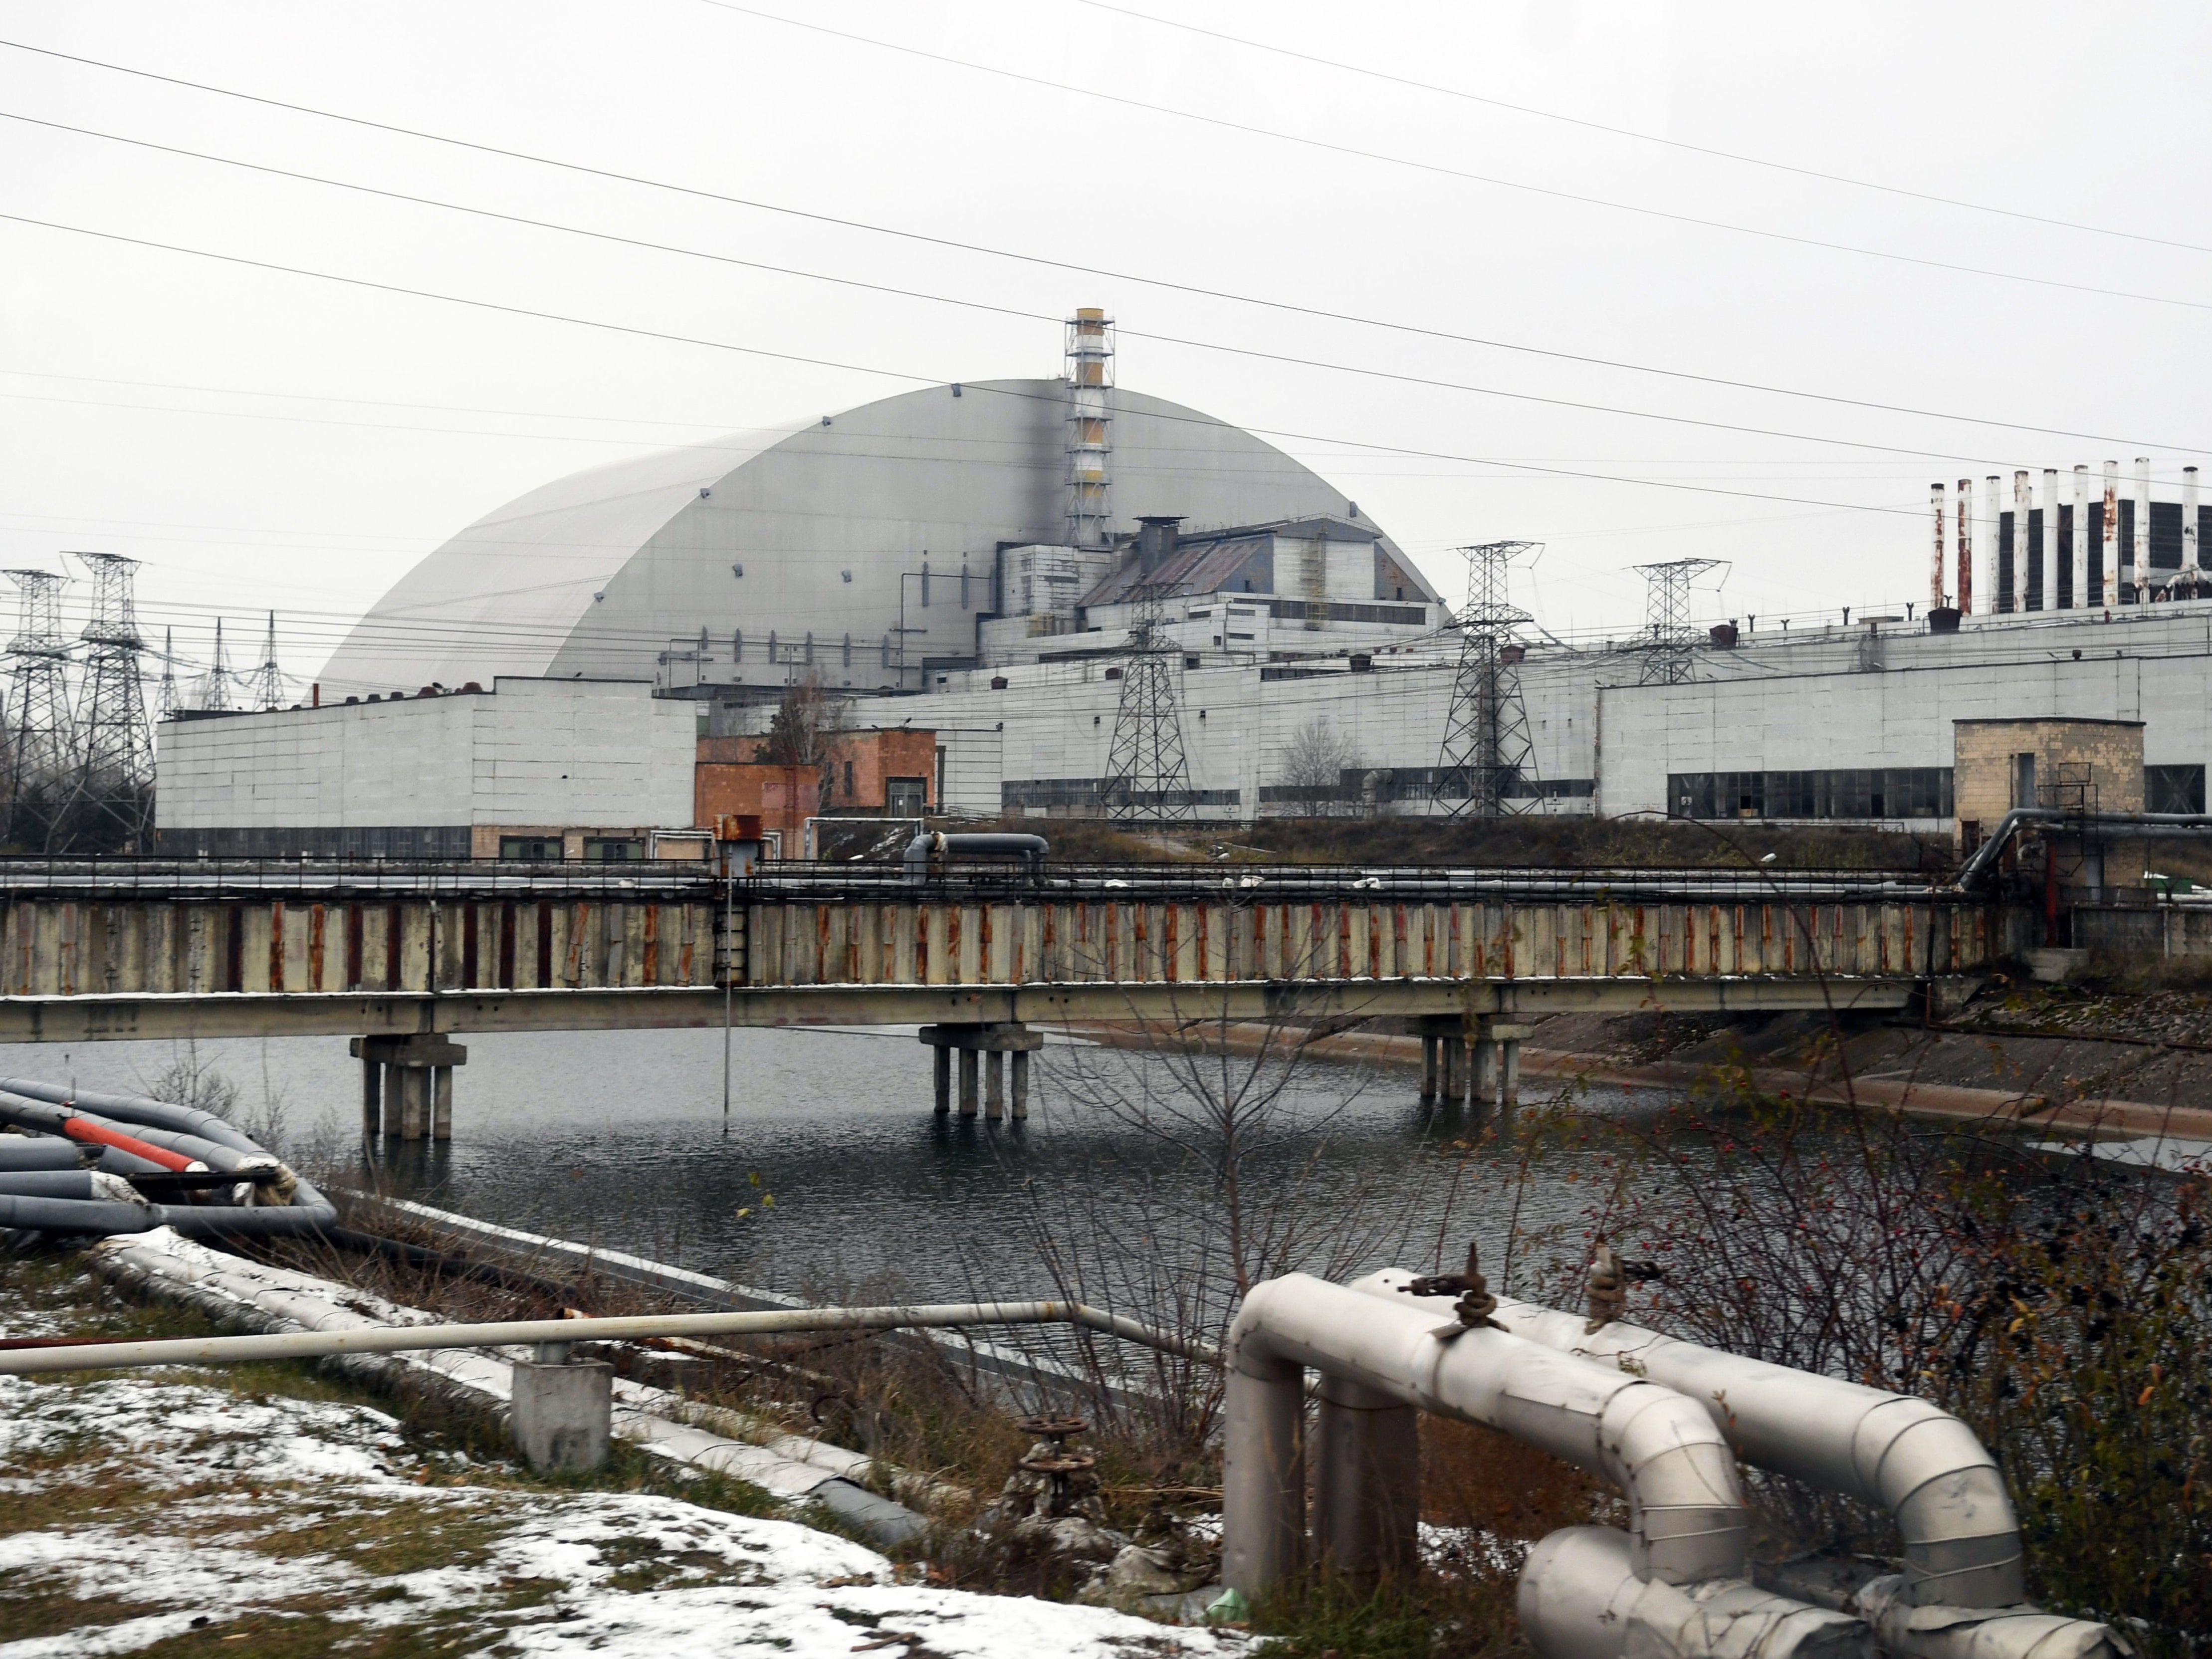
x,y
528,769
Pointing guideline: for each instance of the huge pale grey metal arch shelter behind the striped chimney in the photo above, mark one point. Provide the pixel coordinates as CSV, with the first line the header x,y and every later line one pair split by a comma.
x,y
800,545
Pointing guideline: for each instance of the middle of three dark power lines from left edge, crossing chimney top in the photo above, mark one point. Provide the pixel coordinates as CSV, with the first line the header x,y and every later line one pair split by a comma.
x,y
1003,311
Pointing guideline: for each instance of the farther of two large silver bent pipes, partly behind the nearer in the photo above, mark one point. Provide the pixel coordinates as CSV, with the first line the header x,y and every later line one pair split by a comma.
x,y
1963,1550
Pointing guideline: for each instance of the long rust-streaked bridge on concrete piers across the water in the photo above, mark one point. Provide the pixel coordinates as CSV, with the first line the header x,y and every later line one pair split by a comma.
x,y
406,957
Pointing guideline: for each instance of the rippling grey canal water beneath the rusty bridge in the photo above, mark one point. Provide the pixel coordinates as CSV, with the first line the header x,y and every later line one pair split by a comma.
x,y
831,1176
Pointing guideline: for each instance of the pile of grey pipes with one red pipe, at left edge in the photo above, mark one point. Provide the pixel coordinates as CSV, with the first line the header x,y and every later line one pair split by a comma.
x,y
140,1138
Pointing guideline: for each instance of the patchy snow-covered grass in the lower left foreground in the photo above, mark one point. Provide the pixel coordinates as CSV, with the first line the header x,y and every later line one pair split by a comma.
x,y
145,1507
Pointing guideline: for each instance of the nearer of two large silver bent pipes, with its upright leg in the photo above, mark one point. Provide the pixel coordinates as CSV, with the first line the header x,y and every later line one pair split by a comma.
x,y
1673,1585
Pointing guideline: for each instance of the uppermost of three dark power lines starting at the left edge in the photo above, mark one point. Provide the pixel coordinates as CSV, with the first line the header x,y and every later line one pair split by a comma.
x,y
1107,273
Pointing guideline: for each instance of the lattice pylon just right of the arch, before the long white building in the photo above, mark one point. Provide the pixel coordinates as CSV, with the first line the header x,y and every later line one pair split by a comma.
x,y
1488,755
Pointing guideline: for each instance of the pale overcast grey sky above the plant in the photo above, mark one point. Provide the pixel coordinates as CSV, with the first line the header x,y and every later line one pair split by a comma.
x,y
267,439
